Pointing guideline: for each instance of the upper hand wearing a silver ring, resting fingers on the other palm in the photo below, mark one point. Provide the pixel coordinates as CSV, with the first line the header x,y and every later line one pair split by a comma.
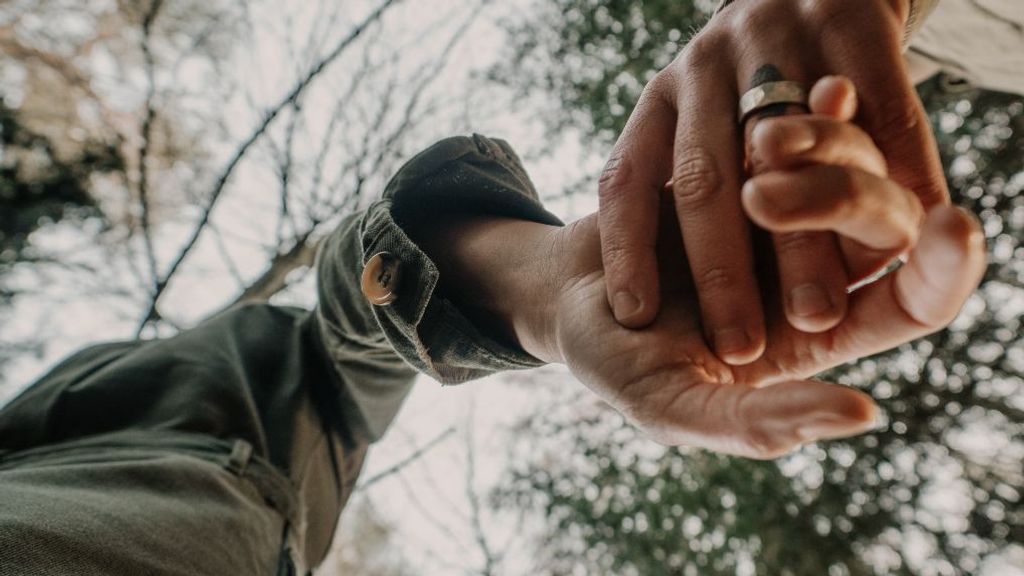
x,y
689,129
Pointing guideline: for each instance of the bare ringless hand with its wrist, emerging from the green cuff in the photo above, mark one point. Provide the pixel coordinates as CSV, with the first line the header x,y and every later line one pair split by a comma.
x,y
545,290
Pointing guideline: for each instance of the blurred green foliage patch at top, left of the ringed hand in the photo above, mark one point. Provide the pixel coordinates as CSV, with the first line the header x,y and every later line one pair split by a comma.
x,y
595,57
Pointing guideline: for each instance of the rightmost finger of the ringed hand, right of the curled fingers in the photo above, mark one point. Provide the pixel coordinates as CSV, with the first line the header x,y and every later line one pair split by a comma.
x,y
890,109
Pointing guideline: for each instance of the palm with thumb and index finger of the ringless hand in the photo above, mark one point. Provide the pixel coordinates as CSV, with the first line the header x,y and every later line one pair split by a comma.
x,y
671,385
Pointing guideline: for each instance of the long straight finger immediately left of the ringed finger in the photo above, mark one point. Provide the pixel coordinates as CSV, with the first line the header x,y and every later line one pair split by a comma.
x,y
716,234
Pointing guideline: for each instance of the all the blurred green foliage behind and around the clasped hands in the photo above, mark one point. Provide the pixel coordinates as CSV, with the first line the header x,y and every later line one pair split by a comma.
x,y
936,490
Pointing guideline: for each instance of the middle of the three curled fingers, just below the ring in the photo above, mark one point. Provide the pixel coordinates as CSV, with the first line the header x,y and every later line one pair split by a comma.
x,y
790,142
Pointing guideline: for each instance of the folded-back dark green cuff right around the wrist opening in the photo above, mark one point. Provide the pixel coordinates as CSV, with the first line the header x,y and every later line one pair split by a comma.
x,y
476,176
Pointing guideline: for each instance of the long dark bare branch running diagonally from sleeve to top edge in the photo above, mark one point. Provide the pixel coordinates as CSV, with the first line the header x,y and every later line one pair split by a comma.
x,y
243,149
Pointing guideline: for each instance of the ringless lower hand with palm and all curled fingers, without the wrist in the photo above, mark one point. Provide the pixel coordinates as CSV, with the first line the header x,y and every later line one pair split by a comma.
x,y
818,173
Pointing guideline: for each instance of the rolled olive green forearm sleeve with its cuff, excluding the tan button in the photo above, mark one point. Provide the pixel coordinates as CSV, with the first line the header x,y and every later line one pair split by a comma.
x,y
377,350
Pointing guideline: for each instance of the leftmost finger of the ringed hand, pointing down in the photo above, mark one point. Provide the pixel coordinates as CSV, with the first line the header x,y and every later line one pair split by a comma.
x,y
629,194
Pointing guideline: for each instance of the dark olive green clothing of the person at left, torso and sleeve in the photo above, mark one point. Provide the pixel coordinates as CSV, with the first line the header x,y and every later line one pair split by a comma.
x,y
232,448
